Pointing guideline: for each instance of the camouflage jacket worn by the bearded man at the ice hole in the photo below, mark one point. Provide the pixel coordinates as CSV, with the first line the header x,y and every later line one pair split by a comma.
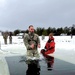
x,y
29,39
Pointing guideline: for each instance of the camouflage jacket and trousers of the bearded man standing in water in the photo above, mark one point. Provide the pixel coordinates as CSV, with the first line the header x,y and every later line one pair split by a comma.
x,y
31,39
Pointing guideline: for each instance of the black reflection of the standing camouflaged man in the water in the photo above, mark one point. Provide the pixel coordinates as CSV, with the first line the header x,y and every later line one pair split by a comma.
x,y
33,68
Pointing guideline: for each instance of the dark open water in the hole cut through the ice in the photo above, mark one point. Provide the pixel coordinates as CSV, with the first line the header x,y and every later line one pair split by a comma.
x,y
50,66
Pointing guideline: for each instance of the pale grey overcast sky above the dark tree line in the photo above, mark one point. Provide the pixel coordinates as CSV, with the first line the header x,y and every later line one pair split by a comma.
x,y
19,14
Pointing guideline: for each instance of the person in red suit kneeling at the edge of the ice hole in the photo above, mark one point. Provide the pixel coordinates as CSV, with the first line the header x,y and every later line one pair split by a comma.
x,y
49,46
